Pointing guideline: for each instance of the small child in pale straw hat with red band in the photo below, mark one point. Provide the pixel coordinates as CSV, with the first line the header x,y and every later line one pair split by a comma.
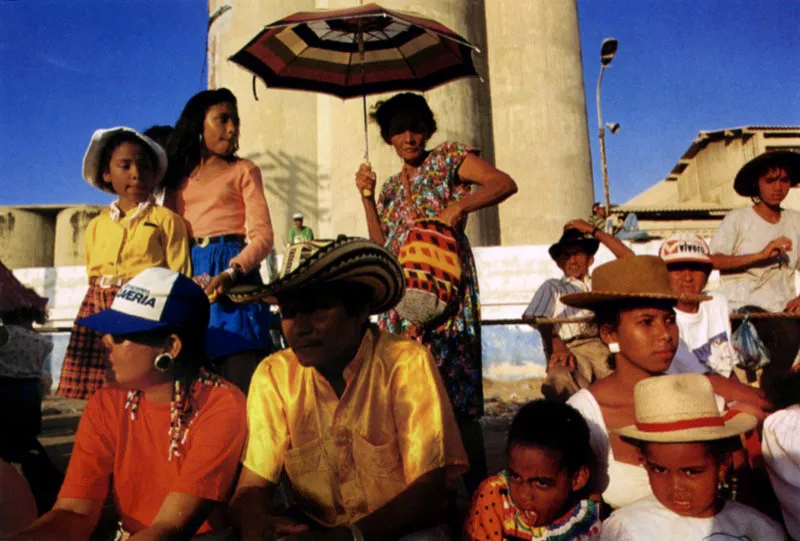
x,y
685,445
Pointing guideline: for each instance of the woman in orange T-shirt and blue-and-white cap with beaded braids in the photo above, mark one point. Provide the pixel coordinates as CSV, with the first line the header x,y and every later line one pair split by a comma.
x,y
168,440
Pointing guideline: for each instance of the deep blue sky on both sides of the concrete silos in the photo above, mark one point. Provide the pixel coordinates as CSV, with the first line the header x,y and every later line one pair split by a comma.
x,y
69,67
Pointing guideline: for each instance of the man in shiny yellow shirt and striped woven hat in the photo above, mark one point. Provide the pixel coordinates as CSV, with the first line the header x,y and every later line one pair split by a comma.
x,y
357,418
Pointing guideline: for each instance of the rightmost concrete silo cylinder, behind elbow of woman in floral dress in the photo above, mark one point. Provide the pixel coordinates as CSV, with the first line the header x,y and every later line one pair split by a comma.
x,y
541,133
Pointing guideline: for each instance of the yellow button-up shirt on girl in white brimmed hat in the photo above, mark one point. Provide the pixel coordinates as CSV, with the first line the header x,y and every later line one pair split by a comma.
x,y
152,236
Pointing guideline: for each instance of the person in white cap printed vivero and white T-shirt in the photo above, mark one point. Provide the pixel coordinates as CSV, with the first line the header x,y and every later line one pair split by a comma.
x,y
705,327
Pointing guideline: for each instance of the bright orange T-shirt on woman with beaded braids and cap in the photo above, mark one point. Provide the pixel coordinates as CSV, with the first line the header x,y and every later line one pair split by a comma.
x,y
130,456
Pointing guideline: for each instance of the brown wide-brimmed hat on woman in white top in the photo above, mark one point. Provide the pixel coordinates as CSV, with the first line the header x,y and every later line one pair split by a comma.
x,y
641,277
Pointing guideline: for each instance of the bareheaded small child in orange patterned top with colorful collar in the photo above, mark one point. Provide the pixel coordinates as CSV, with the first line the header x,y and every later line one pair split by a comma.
x,y
542,493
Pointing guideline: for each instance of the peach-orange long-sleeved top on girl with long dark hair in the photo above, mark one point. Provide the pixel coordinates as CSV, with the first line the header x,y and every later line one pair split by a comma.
x,y
232,203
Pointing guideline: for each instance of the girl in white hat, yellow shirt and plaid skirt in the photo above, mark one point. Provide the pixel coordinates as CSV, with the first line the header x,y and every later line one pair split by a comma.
x,y
124,239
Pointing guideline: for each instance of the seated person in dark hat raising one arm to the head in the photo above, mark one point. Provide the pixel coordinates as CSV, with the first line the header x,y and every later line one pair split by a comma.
x,y
577,355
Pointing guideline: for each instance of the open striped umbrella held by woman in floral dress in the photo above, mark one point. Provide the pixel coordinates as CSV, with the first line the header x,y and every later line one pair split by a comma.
x,y
355,52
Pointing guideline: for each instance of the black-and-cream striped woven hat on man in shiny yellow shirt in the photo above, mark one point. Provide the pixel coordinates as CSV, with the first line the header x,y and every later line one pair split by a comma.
x,y
320,262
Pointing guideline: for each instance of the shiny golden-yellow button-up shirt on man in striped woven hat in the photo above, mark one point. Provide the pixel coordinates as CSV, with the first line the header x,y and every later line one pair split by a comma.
x,y
347,457
